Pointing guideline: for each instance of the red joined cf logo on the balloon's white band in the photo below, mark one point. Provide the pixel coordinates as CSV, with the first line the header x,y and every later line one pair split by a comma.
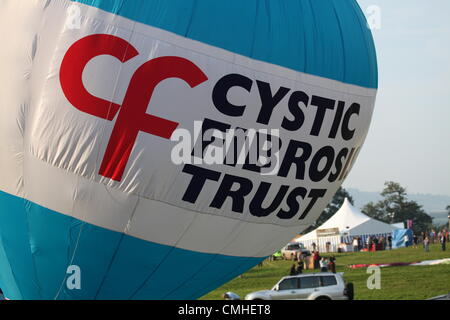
x,y
133,116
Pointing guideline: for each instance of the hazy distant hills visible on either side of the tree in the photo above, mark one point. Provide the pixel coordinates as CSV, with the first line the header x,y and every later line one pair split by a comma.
x,y
434,205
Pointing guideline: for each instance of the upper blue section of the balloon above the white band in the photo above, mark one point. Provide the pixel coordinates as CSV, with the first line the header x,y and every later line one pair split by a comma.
x,y
326,38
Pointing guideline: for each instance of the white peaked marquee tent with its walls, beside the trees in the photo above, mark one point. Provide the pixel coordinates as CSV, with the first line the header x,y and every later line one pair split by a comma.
x,y
346,223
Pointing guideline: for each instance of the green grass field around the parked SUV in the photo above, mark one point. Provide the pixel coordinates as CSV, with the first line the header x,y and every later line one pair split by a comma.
x,y
397,283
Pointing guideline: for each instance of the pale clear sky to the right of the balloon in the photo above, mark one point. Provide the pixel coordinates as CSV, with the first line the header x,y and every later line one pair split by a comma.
x,y
409,139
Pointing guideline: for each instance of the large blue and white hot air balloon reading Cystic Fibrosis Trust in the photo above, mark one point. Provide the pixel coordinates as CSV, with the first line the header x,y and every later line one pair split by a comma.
x,y
96,98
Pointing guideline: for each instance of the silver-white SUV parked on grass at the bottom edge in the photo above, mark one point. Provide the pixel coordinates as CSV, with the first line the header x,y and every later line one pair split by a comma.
x,y
311,286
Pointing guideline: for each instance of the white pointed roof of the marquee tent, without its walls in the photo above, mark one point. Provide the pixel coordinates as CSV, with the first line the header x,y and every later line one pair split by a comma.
x,y
352,221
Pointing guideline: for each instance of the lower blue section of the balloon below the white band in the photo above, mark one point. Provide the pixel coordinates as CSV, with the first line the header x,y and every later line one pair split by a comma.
x,y
37,245
